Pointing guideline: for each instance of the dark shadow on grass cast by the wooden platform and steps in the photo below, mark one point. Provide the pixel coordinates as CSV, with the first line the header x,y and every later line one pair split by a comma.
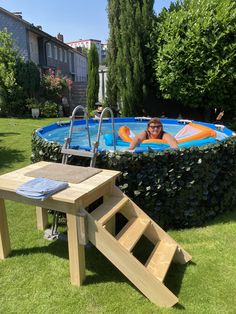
x,y
103,270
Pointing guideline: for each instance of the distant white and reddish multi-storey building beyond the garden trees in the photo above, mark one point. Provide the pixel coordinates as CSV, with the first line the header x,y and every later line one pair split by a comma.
x,y
86,44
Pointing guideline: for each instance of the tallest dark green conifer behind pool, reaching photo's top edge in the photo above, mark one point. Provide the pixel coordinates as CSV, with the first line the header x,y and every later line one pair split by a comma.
x,y
128,62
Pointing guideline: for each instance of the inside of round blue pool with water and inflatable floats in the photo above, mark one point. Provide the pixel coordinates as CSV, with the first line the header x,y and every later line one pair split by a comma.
x,y
188,133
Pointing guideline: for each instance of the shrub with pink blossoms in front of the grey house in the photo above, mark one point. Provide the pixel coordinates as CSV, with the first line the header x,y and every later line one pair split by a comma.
x,y
55,85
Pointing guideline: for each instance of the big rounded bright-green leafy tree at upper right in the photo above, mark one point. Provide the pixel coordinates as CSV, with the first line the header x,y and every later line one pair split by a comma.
x,y
195,53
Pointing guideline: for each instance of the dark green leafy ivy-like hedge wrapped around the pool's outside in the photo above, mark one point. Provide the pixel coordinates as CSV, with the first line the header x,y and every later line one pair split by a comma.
x,y
177,188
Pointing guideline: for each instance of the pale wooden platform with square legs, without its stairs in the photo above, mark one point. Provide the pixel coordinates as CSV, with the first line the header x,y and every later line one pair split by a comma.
x,y
71,201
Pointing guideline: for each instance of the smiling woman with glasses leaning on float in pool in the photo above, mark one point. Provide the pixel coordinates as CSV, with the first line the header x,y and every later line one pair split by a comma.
x,y
154,131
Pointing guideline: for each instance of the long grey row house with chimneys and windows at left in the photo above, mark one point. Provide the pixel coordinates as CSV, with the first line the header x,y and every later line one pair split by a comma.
x,y
43,49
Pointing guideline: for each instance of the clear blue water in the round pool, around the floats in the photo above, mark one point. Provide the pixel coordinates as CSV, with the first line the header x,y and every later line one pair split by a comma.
x,y
57,132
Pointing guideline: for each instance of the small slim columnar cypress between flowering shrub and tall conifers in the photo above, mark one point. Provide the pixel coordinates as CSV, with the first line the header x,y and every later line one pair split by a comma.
x,y
93,78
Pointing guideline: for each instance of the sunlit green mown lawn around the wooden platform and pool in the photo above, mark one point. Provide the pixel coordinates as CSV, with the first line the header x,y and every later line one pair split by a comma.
x,y
35,277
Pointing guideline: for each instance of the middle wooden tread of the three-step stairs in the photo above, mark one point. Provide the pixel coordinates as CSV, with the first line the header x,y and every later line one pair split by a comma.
x,y
132,232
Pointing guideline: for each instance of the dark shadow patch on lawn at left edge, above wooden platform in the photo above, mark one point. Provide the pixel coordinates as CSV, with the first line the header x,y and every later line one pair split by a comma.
x,y
9,156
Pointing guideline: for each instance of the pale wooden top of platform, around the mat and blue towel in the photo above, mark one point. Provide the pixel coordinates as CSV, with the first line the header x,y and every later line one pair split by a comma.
x,y
69,197
